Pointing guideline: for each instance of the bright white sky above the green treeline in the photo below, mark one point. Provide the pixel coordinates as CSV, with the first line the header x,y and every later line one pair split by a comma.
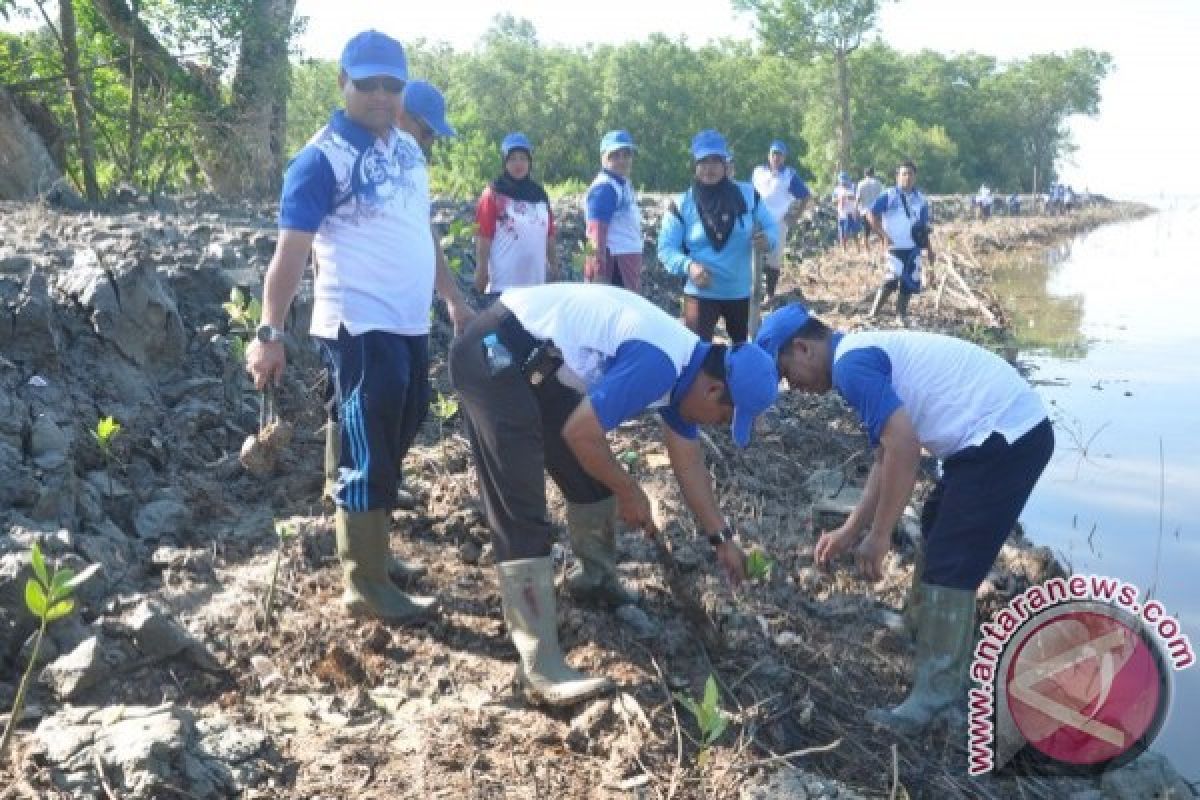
x,y
1139,146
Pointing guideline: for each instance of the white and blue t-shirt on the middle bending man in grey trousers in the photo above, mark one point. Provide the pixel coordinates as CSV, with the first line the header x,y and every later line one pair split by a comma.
x,y
626,353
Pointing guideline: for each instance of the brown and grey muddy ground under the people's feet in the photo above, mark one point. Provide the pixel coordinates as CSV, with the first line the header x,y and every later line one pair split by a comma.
x,y
171,683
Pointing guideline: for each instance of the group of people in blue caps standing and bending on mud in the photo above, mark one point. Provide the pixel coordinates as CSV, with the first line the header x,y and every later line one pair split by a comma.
x,y
545,371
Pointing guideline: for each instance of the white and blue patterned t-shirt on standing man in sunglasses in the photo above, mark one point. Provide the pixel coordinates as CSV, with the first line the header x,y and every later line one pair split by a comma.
x,y
368,202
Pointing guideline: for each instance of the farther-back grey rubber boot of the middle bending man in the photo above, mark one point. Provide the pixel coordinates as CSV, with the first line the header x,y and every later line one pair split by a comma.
x,y
592,528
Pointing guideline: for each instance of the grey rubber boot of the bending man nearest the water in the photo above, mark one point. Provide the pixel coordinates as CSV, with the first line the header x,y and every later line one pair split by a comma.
x,y
945,635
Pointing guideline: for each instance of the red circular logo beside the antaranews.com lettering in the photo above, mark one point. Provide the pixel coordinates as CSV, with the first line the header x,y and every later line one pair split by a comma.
x,y
1085,688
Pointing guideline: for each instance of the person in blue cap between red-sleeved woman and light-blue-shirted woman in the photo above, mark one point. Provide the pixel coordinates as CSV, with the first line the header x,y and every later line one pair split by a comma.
x,y
614,218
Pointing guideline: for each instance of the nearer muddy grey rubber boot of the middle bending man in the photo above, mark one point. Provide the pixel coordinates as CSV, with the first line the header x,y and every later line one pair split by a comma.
x,y
527,591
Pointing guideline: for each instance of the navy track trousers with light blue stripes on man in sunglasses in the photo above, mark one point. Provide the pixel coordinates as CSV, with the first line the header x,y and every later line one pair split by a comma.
x,y
379,395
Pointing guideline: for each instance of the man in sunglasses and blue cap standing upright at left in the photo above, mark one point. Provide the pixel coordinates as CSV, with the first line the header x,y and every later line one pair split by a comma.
x,y
358,200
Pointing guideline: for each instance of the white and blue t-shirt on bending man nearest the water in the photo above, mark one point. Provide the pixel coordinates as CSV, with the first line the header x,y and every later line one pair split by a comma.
x,y
957,394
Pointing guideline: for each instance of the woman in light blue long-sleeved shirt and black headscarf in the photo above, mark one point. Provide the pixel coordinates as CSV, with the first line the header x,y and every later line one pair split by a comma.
x,y
709,236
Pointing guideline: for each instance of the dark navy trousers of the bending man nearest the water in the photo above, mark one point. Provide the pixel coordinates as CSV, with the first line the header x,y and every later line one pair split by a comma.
x,y
975,506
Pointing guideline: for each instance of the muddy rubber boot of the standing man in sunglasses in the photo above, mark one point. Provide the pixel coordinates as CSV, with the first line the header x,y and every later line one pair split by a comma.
x,y
363,549
